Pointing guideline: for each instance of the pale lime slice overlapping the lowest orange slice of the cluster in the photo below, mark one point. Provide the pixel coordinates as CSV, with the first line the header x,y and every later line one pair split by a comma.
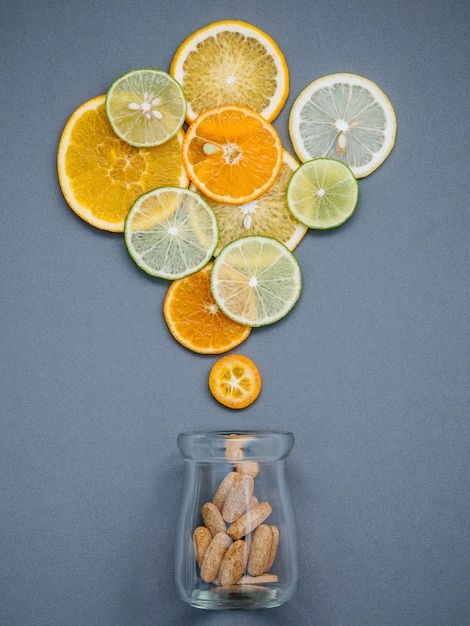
x,y
256,280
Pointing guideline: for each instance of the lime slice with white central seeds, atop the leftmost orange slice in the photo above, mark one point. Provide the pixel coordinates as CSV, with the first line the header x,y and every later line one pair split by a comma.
x,y
145,107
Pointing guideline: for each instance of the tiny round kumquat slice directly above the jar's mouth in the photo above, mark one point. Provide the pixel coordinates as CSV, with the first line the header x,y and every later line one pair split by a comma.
x,y
235,381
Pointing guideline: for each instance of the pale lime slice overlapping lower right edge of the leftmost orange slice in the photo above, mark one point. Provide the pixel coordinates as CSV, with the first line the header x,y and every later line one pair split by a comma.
x,y
170,232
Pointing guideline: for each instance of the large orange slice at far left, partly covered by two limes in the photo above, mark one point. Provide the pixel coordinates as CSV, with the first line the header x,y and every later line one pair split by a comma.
x,y
101,176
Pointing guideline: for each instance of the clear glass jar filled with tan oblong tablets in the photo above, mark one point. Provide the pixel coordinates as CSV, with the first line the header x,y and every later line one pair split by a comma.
x,y
236,545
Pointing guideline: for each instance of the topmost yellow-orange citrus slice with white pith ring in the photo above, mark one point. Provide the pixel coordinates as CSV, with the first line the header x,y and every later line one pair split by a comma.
x,y
231,62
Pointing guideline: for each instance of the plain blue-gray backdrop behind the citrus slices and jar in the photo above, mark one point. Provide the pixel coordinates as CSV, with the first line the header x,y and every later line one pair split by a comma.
x,y
370,370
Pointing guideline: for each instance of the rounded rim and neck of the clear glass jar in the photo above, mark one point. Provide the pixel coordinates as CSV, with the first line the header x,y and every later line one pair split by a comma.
x,y
259,445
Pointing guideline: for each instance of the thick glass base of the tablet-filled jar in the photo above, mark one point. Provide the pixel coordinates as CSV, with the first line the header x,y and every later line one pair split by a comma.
x,y
236,597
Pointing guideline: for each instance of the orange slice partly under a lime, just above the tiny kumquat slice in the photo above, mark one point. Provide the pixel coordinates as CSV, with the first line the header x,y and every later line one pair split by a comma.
x,y
195,320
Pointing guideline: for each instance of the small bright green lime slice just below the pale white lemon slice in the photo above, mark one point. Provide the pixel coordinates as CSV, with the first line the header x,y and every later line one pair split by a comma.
x,y
322,193
